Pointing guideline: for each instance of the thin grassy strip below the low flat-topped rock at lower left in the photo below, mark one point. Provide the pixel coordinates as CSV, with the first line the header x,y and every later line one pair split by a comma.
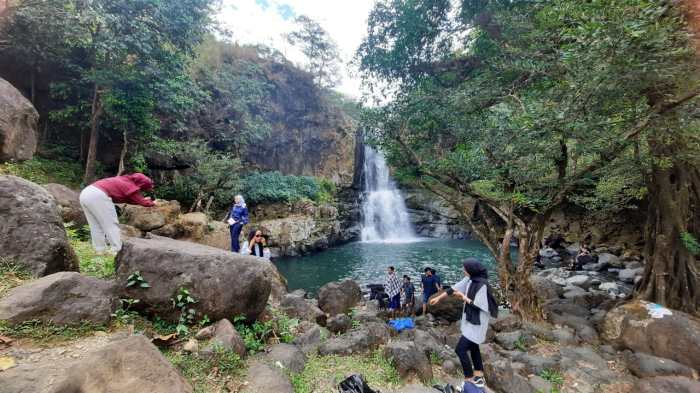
x,y
44,332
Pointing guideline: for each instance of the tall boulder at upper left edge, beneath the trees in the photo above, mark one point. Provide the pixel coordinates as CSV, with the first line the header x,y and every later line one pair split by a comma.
x,y
18,124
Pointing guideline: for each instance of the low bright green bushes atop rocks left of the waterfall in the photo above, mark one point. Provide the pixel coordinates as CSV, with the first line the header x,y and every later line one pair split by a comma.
x,y
268,187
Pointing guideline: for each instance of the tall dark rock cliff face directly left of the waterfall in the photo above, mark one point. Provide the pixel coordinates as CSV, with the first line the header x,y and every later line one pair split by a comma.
x,y
309,135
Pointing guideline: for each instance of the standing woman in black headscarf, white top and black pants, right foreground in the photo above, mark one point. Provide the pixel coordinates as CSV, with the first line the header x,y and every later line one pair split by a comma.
x,y
479,305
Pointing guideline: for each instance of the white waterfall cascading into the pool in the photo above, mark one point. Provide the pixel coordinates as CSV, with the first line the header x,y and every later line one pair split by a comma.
x,y
384,214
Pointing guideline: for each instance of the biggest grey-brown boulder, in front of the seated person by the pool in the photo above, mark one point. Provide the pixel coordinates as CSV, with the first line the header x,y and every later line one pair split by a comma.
x,y
223,284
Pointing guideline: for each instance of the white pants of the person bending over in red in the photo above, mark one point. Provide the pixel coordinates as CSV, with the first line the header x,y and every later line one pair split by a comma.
x,y
102,217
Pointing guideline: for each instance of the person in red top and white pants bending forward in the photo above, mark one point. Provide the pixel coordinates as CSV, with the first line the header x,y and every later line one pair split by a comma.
x,y
98,199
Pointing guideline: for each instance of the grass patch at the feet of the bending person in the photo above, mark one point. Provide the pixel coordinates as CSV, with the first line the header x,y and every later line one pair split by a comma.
x,y
91,263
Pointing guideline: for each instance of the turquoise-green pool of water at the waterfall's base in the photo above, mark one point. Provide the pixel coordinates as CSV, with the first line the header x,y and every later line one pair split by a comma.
x,y
367,262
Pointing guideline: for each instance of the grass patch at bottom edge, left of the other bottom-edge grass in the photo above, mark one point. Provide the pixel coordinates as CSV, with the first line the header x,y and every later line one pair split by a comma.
x,y
207,374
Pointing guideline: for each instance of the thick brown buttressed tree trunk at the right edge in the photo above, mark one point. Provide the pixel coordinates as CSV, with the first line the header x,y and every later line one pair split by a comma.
x,y
671,271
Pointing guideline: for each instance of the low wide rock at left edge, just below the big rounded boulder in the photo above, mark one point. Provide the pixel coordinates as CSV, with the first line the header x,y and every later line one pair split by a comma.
x,y
61,298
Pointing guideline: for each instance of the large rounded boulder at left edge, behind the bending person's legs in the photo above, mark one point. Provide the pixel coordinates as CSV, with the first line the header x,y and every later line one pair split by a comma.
x,y
32,232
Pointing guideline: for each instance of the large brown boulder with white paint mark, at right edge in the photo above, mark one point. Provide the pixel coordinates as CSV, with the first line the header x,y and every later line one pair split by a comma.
x,y
675,334
